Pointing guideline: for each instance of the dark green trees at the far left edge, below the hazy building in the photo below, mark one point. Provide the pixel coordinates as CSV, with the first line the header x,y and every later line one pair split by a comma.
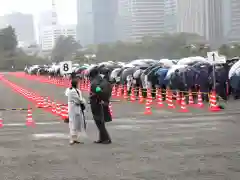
x,y
12,57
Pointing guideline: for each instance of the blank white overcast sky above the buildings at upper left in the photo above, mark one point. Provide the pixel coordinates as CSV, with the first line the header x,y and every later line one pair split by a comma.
x,y
66,9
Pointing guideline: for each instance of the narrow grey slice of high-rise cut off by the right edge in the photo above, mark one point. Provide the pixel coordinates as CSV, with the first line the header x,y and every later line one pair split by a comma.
x,y
234,33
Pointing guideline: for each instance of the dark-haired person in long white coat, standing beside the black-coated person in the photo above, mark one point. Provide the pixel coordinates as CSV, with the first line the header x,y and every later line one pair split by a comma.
x,y
75,103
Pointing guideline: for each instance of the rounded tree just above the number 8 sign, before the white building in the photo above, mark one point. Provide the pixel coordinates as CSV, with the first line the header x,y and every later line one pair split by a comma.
x,y
64,48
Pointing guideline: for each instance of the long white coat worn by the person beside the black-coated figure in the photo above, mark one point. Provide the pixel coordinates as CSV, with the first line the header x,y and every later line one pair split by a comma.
x,y
76,125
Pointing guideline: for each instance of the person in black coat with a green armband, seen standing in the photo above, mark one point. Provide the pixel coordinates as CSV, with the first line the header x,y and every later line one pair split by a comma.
x,y
100,94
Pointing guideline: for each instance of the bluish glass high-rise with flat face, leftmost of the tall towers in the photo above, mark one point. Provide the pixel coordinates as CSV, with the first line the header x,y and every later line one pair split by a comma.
x,y
96,21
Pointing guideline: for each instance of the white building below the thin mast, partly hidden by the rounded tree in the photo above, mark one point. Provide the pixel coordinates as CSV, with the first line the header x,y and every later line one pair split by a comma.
x,y
50,34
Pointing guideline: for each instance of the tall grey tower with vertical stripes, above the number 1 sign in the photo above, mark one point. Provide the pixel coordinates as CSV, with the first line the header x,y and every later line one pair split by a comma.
x,y
203,17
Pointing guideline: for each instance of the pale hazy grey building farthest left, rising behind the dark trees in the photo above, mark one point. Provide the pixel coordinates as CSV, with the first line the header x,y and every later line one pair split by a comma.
x,y
23,25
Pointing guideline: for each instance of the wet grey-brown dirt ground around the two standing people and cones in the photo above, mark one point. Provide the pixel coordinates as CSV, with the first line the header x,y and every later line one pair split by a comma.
x,y
176,147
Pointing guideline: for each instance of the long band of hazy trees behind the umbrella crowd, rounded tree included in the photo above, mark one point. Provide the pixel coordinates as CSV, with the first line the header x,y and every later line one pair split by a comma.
x,y
171,46
